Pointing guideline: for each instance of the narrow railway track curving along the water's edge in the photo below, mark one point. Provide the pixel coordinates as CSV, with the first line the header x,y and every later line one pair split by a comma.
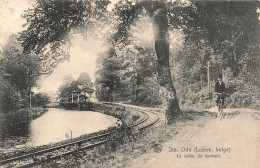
x,y
36,158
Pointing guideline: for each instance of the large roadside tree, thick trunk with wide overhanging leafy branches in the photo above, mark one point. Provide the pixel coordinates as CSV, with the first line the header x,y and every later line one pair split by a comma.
x,y
206,24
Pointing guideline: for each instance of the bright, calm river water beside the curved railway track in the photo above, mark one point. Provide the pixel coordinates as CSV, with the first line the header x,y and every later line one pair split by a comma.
x,y
59,124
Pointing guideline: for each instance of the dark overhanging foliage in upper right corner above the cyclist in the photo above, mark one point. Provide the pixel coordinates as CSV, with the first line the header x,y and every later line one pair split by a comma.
x,y
231,28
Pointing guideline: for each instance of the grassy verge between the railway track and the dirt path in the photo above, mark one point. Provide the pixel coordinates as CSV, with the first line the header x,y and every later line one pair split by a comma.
x,y
123,151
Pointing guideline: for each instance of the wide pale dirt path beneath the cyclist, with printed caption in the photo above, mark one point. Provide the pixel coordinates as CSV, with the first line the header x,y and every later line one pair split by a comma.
x,y
231,142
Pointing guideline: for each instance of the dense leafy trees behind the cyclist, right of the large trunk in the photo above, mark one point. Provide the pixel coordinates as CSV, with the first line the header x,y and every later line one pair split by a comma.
x,y
226,35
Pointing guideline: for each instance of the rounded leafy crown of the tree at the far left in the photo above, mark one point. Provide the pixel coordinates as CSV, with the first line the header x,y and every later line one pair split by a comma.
x,y
20,69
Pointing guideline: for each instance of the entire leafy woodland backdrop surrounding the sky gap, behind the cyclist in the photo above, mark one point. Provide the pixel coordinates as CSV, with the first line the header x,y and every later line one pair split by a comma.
x,y
220,36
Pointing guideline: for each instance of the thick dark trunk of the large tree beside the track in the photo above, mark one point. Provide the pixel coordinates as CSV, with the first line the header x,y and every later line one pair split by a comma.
x,y
161,36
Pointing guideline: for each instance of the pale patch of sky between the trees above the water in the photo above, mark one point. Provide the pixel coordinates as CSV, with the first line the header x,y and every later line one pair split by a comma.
x,y
83,57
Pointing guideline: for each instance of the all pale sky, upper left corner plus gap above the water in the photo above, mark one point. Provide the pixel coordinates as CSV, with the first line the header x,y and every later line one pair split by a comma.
x,y
83,54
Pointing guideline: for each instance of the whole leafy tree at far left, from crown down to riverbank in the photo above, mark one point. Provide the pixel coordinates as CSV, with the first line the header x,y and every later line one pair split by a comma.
x,y
20,71
